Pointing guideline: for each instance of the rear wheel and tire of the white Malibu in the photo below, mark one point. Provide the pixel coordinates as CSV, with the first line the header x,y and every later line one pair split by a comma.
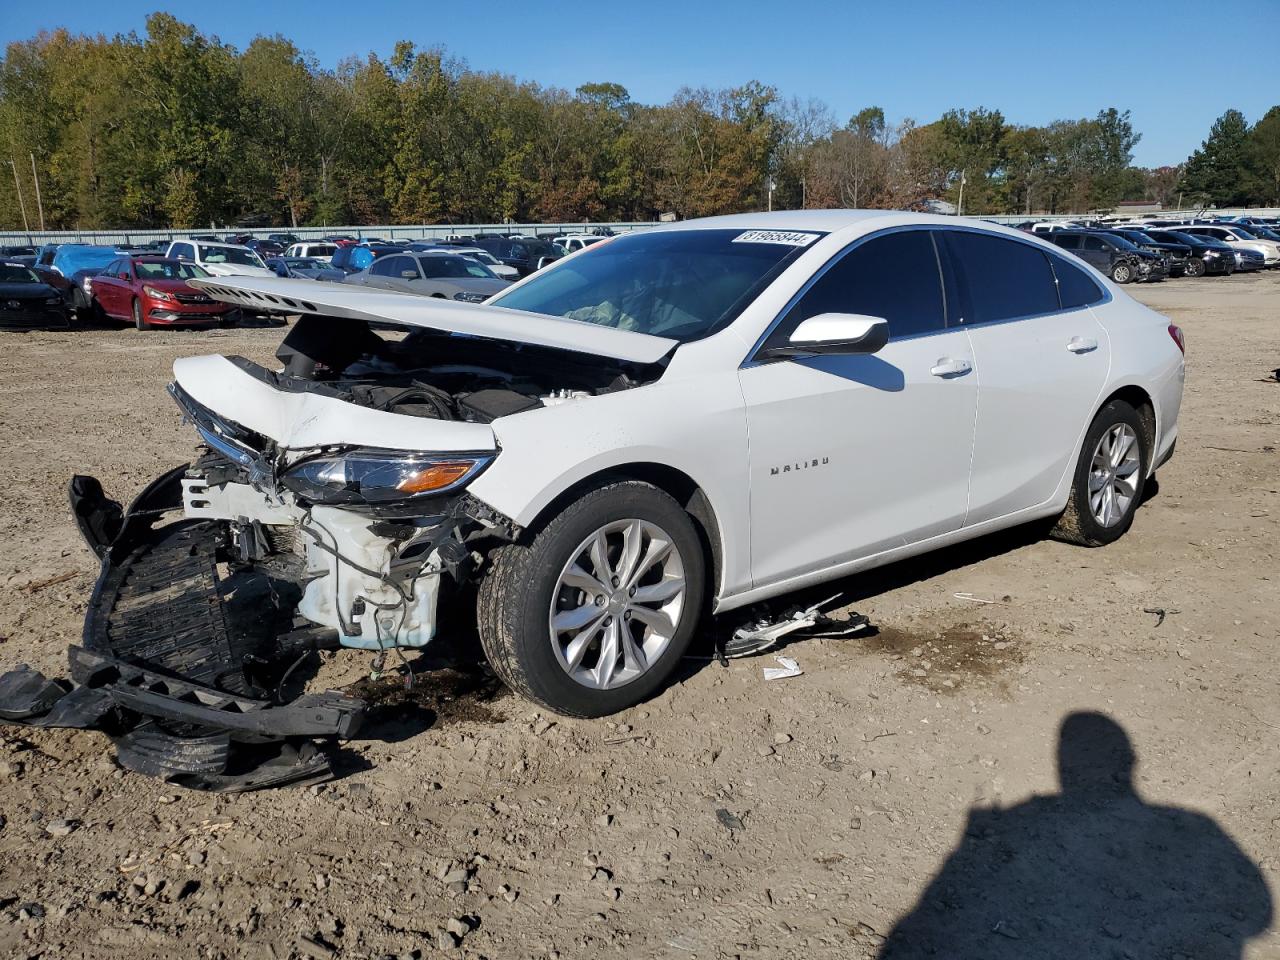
x,y
1081,523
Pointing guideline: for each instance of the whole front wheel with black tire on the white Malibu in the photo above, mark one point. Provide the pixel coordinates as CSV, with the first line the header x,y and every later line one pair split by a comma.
x,y
525,588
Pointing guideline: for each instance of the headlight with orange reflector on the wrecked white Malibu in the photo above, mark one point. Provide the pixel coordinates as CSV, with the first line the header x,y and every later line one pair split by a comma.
x,y
373,478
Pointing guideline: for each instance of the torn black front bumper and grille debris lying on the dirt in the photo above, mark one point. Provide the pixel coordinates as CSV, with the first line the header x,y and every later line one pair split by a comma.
x,y
170,671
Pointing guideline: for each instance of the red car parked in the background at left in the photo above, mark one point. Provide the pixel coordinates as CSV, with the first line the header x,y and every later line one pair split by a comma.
x,y
154,292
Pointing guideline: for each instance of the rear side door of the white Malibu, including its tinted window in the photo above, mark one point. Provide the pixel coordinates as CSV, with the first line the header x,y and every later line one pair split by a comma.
x,y
1043,362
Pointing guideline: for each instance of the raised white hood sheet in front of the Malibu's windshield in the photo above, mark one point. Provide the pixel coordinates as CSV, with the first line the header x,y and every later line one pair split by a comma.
x,y
450,317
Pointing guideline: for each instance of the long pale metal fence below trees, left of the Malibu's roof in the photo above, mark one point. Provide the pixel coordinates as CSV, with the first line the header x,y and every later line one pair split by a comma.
x,y
31,239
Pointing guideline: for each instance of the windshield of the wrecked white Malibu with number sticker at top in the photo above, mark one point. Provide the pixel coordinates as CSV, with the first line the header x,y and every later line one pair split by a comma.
x,y
684,285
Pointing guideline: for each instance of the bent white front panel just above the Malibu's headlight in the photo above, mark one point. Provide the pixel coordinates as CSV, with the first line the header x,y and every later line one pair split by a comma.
x,y
300,422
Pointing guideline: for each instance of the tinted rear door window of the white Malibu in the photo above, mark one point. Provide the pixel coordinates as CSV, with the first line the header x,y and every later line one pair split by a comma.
x,y
1002,278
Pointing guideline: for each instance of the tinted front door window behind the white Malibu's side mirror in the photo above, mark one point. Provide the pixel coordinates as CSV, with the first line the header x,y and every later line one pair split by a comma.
x,y
895,277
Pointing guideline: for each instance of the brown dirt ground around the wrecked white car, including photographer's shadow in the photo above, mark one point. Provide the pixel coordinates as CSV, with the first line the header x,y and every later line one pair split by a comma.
x,y
906,780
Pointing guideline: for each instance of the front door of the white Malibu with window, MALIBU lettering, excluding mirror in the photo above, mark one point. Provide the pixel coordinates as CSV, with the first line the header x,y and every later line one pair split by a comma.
x,y
856,455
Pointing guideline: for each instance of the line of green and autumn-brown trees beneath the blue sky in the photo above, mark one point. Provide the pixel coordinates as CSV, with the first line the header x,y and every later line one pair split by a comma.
x,y
177,130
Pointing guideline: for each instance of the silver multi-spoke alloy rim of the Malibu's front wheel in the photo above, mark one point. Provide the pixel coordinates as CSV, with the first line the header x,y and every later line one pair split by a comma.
x,y
618,604
